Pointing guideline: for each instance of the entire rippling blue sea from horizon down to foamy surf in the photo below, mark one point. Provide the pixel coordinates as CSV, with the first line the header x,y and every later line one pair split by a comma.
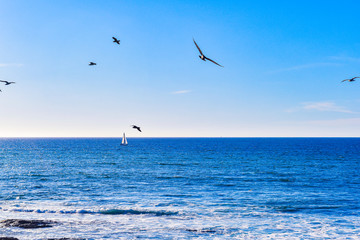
x,y
182,188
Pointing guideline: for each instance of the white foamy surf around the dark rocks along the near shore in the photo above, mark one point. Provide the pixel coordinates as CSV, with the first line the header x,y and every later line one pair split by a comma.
x,y
245,224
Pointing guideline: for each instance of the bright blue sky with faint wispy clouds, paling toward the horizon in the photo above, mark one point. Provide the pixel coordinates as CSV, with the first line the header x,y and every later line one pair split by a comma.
x,y
283,66
